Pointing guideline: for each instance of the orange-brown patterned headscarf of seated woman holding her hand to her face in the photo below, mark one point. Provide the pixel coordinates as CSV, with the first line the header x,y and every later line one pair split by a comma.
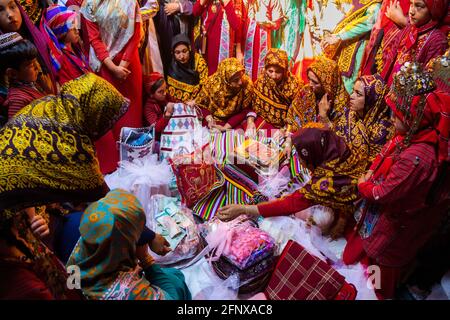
x,y
304,108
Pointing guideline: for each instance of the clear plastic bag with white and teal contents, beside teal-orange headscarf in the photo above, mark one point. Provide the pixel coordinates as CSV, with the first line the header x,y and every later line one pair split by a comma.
x,y
177,225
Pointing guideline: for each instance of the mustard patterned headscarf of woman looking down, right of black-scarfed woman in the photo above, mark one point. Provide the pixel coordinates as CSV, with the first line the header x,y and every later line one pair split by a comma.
x,y
217,95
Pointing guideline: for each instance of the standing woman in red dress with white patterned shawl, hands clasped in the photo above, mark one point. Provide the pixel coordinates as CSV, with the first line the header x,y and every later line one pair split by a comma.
x,y
114,37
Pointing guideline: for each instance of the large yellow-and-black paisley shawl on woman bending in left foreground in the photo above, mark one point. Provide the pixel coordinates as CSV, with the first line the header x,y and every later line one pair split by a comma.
x,y
47,149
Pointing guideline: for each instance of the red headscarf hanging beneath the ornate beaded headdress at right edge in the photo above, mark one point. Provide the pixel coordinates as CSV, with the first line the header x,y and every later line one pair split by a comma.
x,y
434,127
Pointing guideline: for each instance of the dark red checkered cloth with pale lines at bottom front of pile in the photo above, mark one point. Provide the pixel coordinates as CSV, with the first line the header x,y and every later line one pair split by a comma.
x,y
299,275
